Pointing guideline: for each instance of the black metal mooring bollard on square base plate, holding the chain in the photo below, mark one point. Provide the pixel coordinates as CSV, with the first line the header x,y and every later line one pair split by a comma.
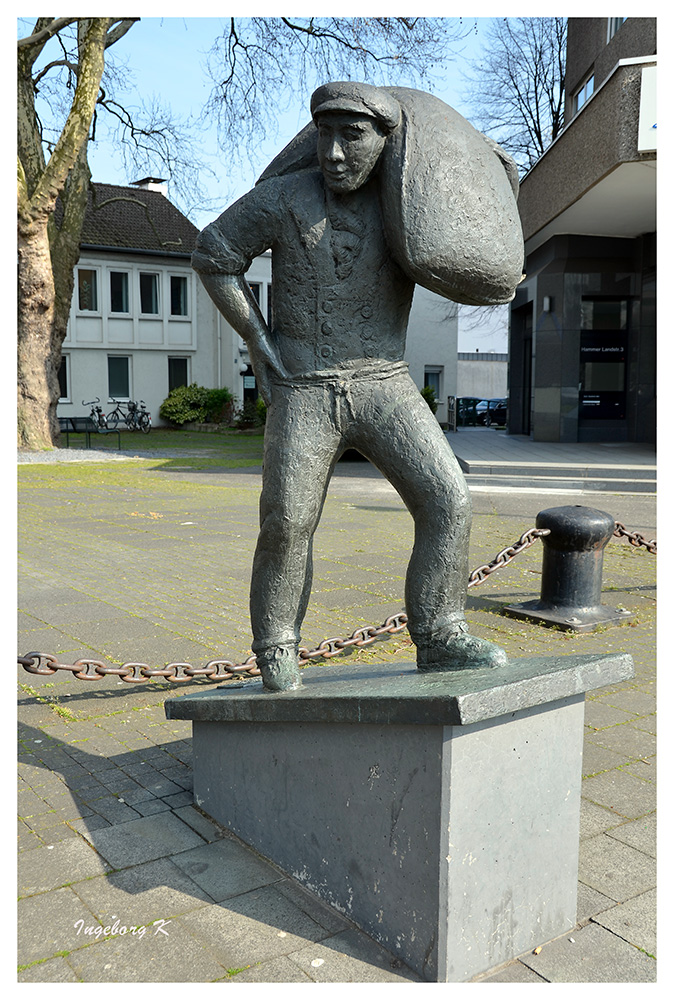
x,y
573,557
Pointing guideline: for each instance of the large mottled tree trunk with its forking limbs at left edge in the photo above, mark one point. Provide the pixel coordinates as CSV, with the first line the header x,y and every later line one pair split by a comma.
x,y
44,292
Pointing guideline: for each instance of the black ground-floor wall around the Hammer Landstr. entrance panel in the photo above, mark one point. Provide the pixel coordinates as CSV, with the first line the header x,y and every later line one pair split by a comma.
x,y
545,344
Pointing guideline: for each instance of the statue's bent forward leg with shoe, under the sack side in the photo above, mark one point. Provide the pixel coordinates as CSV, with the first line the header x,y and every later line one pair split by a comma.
x,y
408,445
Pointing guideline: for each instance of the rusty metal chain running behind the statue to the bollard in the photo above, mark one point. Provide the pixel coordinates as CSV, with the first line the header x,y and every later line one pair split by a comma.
x,y
85,669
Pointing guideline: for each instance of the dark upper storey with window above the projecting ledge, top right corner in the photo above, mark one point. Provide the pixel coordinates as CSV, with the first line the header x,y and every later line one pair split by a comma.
x,y
587,50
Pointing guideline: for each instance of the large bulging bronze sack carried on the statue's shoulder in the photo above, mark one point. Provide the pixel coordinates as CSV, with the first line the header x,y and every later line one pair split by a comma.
x,y
449,200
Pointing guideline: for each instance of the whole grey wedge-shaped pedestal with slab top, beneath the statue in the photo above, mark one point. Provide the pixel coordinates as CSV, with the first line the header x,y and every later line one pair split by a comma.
x,y
440,812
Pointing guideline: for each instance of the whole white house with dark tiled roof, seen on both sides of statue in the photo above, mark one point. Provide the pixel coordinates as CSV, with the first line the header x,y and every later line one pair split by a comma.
x,y
141,322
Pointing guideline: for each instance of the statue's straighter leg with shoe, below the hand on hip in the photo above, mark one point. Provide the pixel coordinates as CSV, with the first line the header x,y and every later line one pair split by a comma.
x,y
301,448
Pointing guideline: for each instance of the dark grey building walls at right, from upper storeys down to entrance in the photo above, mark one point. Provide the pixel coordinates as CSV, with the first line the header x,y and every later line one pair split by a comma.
x,y
551,350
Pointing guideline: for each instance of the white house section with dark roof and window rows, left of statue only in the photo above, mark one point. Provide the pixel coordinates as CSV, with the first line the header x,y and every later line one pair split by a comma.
x,y
140,322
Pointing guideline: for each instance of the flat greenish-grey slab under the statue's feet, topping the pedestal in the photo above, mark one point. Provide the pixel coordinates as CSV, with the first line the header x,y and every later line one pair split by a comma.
x,y
384,693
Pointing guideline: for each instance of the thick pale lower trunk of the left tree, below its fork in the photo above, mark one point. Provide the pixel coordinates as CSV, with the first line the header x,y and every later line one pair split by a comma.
x,y
38,387
